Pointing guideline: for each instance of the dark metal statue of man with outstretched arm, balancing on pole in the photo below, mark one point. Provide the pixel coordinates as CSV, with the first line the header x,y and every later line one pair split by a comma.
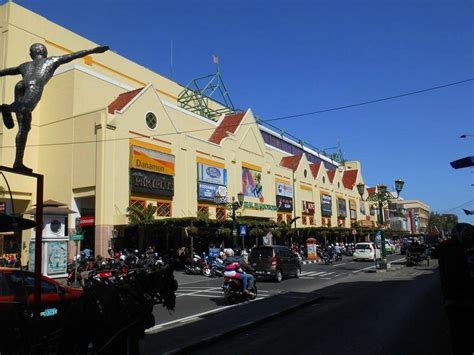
x,y
28,91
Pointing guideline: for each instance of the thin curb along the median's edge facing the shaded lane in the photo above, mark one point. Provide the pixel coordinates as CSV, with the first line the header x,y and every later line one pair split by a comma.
x,y
244,326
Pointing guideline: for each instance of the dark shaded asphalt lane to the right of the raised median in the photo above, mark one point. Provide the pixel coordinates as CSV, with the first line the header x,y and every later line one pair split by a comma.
x,y
393,313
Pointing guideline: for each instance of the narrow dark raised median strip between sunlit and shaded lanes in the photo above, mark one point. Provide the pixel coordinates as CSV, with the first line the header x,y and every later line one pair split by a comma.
x,y
187,337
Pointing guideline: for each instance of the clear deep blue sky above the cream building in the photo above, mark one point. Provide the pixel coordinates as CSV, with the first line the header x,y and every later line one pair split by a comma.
x,y
282,58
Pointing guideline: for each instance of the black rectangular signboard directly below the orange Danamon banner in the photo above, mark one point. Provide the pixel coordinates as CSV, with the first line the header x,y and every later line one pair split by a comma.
x,y
151,183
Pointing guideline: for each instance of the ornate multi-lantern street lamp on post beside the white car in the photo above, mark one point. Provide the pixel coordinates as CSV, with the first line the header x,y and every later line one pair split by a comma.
x,y
379,199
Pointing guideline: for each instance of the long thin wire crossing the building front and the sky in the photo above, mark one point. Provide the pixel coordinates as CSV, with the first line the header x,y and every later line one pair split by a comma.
x,y
337,108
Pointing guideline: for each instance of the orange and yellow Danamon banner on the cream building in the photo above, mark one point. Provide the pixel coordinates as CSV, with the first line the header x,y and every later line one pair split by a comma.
x,y
151,160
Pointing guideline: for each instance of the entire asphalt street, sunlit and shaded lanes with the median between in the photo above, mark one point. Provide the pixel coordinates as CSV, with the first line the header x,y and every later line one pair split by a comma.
x,y
333,309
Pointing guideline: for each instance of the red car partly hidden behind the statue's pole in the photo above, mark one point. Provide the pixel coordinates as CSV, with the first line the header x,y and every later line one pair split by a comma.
x,y
16,304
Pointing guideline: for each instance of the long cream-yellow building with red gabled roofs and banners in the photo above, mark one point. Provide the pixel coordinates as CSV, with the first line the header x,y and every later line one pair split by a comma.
x,y
109,133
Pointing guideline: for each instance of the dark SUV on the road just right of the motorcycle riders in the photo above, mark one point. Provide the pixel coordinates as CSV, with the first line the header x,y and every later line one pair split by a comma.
x,y
276,261
